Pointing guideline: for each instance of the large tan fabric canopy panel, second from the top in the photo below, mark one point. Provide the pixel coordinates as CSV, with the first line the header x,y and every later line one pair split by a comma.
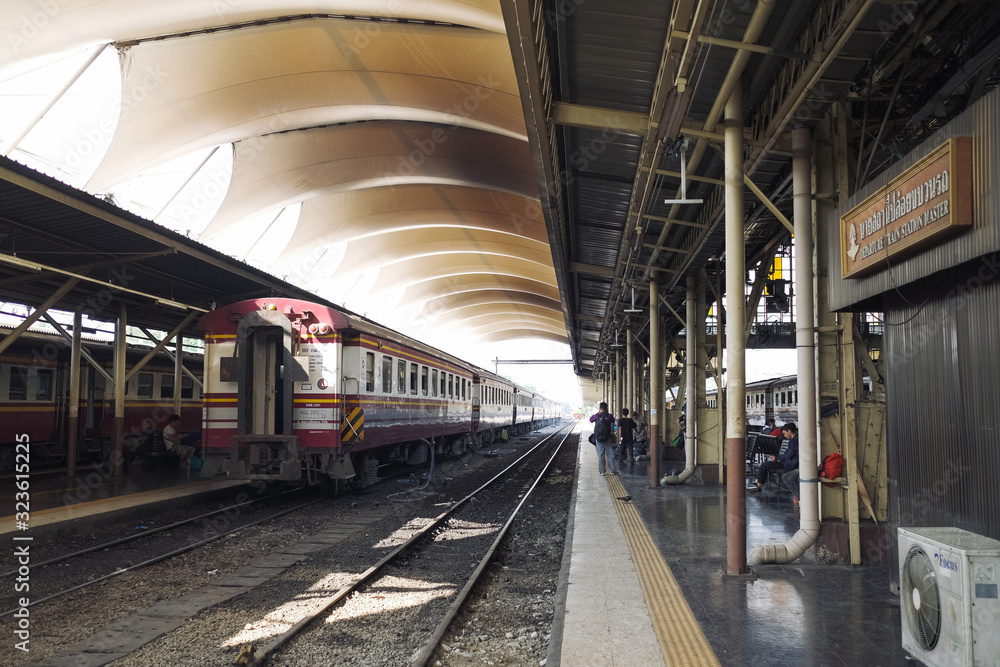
x,y
184,94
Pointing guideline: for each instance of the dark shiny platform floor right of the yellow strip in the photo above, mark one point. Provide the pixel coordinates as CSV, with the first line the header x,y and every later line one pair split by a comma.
x,y
800,613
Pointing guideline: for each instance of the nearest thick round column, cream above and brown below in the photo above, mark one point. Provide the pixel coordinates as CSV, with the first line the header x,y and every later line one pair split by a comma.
x,y
736,426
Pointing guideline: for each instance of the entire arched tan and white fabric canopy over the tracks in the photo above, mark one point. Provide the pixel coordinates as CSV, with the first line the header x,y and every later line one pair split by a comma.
x,y
401,146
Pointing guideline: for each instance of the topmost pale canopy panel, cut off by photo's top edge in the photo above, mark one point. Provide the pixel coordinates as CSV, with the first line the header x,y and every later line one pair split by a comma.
x,y
34,29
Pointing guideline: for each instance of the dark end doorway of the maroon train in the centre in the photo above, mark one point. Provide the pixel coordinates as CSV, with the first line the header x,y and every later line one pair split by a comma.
x,y
266,371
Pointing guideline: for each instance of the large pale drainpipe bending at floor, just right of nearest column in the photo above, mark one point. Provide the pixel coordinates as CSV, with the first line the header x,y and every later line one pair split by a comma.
x,y
805,344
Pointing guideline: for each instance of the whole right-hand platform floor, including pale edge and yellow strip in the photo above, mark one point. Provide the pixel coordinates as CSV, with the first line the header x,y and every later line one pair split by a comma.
x,y
795,614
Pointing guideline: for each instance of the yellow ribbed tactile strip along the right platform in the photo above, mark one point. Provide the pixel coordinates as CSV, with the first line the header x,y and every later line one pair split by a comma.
x,y
680,635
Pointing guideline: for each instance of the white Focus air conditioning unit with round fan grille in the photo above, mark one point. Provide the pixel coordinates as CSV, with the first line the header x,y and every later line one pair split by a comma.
x,y
948,581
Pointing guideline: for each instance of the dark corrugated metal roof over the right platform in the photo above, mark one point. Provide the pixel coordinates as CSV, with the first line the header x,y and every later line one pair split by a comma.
x,y
608,55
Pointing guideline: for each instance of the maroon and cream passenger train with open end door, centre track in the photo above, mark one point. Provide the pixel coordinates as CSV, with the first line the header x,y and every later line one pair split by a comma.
x,y
301,392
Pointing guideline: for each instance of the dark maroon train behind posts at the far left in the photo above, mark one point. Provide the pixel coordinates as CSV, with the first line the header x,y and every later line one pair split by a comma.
x,y
34,397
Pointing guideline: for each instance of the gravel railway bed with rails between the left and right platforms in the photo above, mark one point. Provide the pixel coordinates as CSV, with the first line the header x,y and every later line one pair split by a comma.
x,y
271,579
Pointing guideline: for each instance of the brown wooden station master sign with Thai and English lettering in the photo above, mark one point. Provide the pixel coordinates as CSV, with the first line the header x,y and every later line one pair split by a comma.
x,y
927,203
